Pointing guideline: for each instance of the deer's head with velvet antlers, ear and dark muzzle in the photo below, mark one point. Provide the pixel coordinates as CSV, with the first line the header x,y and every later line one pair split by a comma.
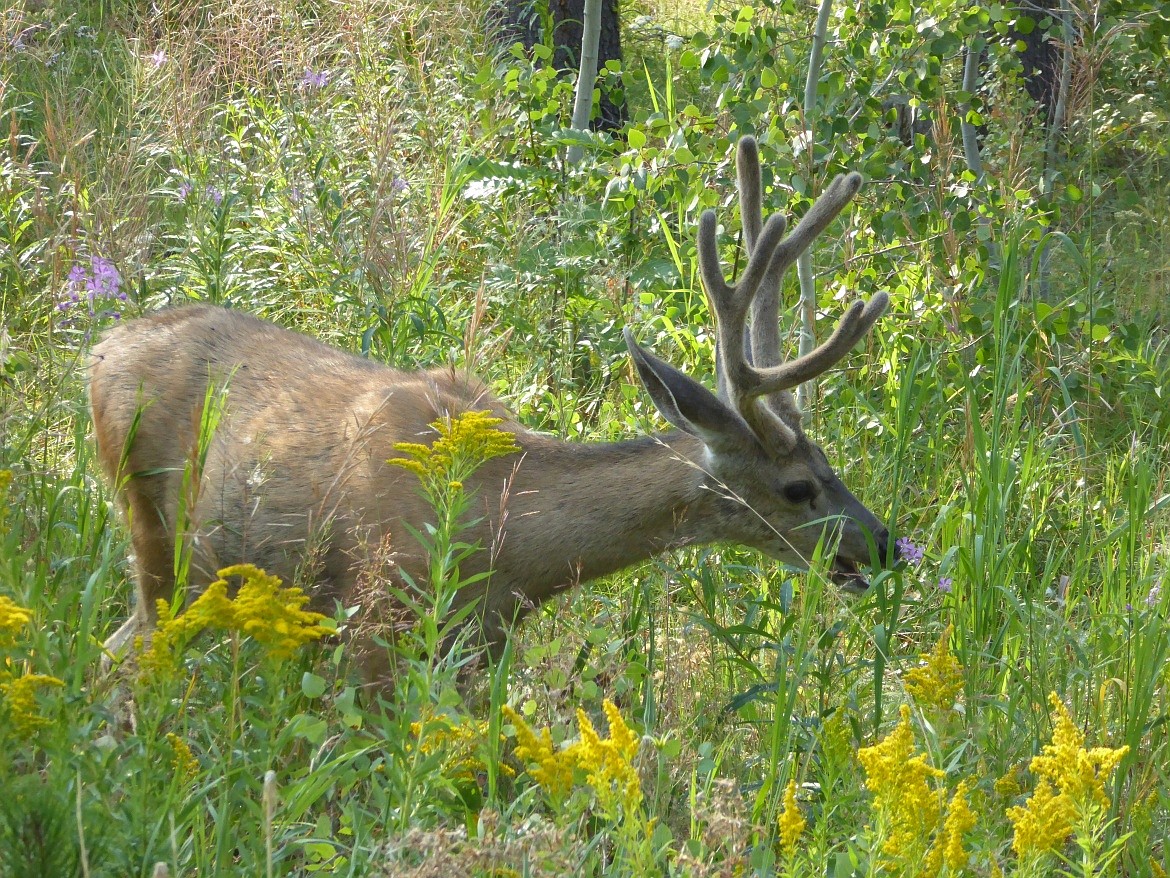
x,y
782,495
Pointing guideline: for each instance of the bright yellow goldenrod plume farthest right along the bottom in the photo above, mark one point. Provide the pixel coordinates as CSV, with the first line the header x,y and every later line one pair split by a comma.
x,y
1071,788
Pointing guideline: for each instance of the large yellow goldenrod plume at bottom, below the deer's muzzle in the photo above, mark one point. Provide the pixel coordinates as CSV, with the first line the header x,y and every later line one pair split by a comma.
x,y
904,800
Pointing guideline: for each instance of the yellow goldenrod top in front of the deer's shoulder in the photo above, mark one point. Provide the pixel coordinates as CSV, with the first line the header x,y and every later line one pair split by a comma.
x,y
465,442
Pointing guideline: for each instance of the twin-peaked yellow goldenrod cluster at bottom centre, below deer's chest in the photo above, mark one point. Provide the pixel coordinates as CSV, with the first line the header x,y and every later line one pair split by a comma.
x,y
608,764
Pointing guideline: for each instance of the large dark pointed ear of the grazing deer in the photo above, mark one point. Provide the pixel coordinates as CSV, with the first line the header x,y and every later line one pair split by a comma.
x,y
687,404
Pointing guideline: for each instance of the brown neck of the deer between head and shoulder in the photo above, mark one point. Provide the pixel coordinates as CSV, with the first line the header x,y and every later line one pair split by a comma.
x,y
586,511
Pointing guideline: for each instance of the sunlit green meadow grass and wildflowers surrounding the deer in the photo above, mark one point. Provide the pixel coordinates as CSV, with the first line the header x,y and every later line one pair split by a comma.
x,y
388,177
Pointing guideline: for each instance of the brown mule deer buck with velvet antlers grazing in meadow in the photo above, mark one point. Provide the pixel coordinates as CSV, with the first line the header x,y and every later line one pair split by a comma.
x,y
300,456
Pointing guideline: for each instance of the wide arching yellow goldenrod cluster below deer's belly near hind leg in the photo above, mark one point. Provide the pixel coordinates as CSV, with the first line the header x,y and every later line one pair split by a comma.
x,y
264,611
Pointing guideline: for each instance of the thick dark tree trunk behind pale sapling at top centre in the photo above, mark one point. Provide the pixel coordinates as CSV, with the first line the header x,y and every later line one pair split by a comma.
x,y
524,20
